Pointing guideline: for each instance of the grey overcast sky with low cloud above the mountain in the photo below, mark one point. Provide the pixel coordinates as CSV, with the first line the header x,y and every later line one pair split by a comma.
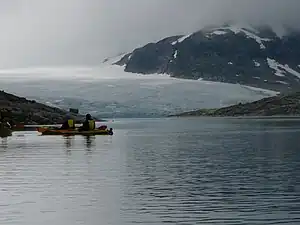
x,y
83,32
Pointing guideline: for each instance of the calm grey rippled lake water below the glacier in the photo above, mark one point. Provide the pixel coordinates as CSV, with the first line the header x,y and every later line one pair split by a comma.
x,y
175,171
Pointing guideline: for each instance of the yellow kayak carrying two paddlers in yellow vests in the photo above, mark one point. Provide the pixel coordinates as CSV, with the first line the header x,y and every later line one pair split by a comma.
x,y
48,131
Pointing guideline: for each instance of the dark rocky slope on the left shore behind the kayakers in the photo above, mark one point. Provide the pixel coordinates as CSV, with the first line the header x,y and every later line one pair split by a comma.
x,y
23,111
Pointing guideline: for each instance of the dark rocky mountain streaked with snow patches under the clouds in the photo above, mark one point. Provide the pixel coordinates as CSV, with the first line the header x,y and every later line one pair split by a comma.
x,y
255,57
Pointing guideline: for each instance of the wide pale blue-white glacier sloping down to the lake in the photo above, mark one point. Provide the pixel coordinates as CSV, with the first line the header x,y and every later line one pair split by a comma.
x,y
106,91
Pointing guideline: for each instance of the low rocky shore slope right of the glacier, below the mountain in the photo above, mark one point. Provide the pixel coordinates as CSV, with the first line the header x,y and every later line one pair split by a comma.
x,y
280,105
